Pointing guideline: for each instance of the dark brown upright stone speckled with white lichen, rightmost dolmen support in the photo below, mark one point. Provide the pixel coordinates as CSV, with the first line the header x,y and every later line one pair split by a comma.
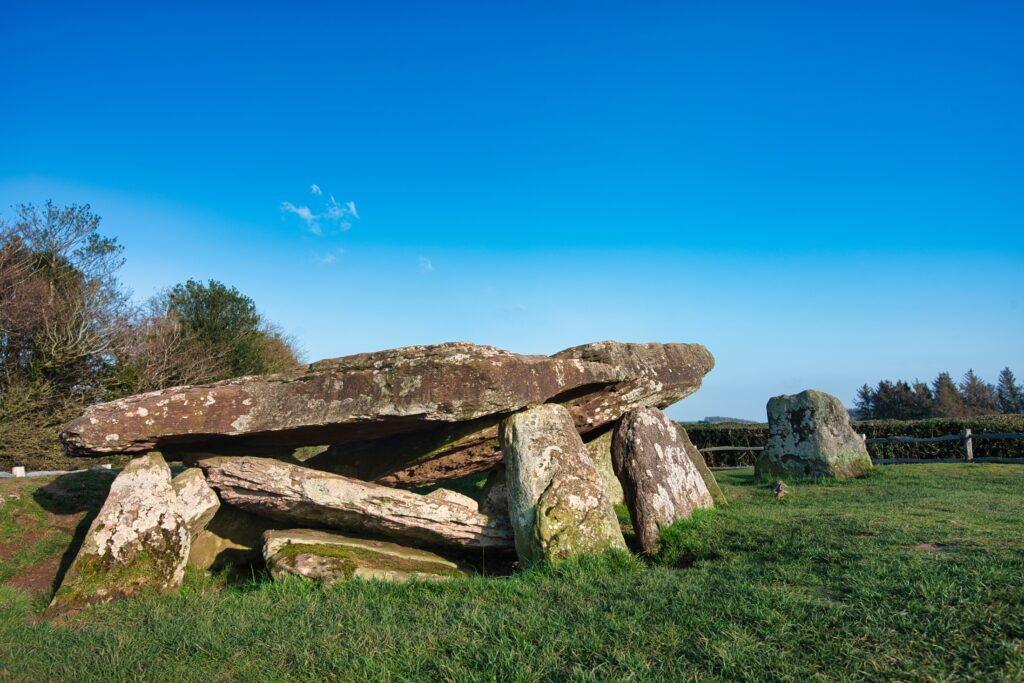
x,y
661,483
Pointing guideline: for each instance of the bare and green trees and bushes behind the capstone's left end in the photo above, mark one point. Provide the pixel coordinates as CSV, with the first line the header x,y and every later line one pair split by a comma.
x,y
70,334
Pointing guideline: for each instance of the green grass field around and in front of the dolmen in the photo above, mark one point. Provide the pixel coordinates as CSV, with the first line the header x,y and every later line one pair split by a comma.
x,y
915,574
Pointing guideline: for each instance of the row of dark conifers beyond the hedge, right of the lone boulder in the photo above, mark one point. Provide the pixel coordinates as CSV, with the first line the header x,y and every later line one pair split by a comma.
x,y
943,399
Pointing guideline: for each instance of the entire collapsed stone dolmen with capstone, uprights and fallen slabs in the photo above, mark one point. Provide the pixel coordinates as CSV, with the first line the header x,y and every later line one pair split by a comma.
x,y
560,441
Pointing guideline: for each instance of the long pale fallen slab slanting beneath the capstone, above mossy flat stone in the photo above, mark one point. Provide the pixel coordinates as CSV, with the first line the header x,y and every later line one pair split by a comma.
x,y
302,496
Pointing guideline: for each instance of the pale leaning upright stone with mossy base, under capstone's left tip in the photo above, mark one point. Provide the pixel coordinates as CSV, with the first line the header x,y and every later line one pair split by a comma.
x,y
138,543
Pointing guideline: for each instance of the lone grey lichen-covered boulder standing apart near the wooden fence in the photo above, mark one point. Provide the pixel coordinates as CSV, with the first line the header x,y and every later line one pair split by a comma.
x,y
810,436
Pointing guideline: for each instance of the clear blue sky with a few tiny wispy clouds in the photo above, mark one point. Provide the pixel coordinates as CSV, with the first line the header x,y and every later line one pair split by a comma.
x,y
823,194
